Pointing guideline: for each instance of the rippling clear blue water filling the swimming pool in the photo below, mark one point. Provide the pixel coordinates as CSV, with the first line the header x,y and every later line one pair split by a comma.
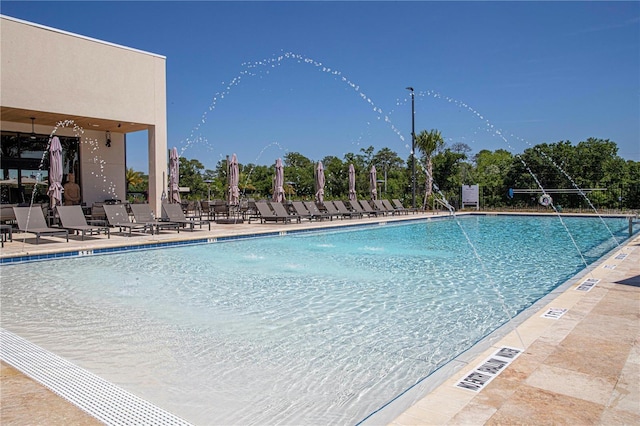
x,y
313,328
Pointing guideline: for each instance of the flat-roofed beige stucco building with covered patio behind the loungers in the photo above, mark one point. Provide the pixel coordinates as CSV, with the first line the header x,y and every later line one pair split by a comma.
x,y
91,94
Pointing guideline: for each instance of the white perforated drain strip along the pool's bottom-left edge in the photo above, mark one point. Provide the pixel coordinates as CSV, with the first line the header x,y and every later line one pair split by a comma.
x,y
103,400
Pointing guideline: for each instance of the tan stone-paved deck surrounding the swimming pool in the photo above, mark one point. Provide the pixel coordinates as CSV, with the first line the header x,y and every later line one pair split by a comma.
x,y
581,368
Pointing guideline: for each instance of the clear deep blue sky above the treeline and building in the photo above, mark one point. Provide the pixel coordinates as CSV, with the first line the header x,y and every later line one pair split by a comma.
x,y
261,79
